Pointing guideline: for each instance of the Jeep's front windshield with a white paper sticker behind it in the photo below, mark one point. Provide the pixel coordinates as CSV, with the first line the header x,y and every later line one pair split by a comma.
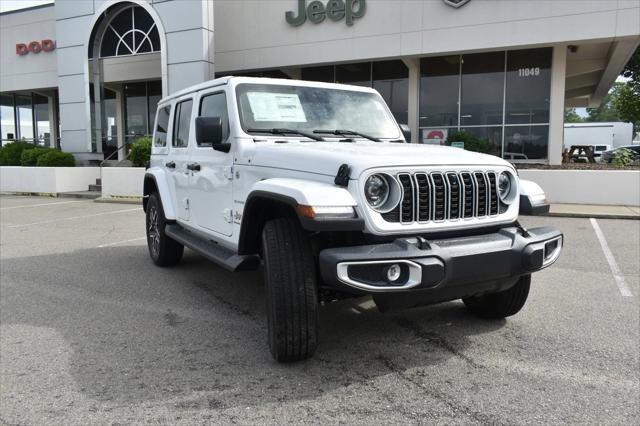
x,y
309,109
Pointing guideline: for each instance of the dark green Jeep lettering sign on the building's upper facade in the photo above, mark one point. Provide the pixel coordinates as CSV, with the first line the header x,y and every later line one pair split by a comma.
x,y
335,10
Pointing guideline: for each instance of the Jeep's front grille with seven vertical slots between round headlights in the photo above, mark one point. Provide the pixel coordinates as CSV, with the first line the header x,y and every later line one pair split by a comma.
x,y
444,196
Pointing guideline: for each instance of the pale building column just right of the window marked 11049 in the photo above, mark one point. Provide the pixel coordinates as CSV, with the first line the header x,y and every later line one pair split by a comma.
x,y
556,104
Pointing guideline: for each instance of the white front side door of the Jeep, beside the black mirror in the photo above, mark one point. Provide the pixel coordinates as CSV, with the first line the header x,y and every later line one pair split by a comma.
x,y
211,187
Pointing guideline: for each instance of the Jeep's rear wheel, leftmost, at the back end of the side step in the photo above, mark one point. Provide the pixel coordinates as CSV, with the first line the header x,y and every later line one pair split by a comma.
x,y
163,250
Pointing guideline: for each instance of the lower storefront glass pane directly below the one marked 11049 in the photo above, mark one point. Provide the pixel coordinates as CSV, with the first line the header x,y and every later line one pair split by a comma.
x,y
525,142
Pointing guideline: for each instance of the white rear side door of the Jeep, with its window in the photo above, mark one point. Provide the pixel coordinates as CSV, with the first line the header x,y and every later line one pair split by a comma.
x,y
179,174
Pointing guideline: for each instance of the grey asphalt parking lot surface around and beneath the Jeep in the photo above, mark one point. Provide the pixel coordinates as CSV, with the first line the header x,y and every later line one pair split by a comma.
x,y
91,332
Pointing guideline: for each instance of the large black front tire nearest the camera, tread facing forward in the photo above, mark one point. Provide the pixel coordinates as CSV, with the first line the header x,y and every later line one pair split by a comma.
x,y
292,298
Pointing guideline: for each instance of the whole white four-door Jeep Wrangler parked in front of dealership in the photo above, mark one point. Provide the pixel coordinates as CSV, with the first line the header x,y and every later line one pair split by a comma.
x,y
316,182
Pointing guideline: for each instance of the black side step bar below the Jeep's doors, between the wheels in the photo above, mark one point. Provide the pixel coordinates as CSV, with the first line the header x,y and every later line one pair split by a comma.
x,y
212,251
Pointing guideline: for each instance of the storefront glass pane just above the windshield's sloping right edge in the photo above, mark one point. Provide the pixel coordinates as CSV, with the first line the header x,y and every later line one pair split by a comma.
x,y
391,79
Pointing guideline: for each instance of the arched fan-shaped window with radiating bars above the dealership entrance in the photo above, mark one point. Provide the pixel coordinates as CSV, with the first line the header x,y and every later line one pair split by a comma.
x,y
131,32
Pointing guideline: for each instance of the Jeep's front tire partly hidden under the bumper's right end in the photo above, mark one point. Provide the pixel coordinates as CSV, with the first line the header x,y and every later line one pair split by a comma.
x,y
502,304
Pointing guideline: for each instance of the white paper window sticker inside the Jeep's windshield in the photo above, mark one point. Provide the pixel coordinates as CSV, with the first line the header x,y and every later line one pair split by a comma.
x,y
268,106
